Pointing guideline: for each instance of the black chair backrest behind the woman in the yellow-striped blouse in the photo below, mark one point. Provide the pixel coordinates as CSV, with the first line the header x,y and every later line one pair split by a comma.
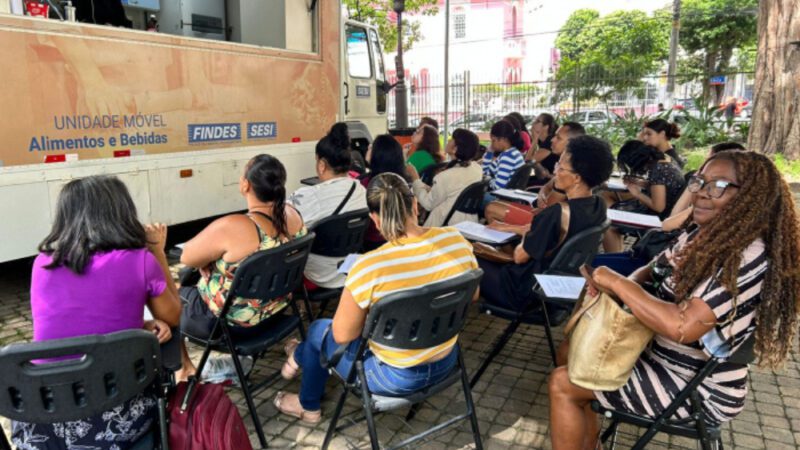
x,y
423,317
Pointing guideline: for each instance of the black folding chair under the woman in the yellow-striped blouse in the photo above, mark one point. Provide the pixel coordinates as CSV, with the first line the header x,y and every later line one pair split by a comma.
x,y
414,319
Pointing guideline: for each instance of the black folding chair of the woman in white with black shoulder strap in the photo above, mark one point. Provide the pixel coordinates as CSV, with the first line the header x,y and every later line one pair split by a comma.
x,y
337,237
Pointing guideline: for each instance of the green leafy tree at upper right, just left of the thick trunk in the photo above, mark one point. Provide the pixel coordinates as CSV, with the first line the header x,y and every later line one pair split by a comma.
x,y
711,31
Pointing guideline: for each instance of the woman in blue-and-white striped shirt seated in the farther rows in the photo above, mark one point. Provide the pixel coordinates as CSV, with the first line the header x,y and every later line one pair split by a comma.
x,y
504,158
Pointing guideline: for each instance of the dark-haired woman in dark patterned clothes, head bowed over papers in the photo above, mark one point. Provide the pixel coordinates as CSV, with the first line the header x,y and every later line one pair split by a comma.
x,y
654,184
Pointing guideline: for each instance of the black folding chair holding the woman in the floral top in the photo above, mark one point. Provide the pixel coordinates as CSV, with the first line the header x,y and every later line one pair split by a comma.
x,y
265,275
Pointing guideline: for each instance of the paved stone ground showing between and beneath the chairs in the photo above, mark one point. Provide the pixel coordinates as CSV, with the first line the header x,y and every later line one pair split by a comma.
x,y
511,399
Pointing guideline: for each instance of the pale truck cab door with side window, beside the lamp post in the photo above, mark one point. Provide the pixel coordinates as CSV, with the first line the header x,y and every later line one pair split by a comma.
x,y
364,96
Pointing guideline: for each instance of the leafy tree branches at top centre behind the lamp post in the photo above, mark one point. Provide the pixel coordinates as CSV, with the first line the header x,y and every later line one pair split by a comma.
x,y
380,14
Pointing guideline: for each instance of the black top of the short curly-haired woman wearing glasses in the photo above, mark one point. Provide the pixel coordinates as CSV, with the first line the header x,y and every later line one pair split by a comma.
x,y
543,237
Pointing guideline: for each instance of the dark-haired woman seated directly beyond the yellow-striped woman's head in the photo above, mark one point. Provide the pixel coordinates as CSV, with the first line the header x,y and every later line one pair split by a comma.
x,y
385,155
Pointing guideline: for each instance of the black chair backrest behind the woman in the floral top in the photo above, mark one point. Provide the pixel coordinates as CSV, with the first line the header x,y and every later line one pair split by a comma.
x,y
272,273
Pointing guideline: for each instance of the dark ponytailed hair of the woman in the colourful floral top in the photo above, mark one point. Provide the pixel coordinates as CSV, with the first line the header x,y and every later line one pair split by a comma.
x,y
267,176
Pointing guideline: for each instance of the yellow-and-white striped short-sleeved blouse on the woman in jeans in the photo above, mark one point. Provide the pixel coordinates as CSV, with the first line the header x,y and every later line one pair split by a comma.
x,y
439,254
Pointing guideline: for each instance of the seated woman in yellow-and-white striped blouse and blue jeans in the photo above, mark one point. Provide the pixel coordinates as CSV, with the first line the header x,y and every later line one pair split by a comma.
x,y
413,256
